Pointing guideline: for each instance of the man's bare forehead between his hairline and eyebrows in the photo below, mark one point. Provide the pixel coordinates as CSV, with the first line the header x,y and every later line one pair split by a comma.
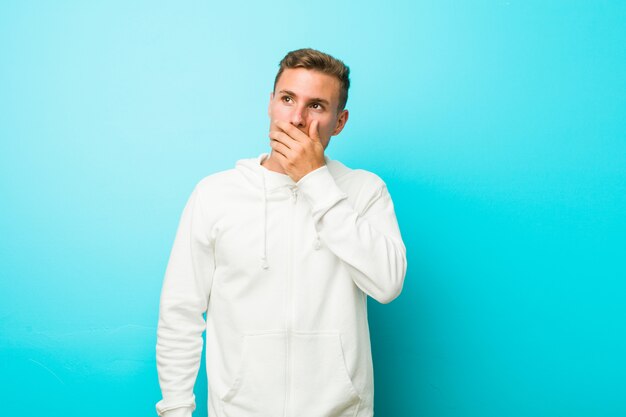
x,y
307,83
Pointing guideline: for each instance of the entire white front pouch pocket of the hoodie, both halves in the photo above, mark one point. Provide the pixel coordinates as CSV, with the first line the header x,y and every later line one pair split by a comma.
x,y
306,374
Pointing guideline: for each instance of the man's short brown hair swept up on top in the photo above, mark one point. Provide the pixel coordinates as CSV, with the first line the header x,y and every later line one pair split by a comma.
x,y
313,59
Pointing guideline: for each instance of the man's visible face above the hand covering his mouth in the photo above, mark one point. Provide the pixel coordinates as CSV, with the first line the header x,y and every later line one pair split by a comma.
x,y
303,95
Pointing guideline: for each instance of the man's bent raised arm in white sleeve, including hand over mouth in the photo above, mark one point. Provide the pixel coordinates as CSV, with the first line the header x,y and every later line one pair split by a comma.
x,y
368,242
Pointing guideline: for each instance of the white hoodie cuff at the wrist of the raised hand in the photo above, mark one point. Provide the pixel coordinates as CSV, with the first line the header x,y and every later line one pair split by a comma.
x,y
320,190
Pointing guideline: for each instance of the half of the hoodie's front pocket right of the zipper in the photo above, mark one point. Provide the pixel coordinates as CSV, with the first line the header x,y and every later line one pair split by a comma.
x,y
321,385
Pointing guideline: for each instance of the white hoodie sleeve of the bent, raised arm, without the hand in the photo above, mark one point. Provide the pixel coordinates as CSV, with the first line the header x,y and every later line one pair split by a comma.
x,y
368,242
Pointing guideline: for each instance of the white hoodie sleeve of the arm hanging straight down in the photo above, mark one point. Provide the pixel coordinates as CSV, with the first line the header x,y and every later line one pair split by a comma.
x,y
184,299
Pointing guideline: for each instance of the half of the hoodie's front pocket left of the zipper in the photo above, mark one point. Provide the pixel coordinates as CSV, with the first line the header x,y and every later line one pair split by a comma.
x,y
259,386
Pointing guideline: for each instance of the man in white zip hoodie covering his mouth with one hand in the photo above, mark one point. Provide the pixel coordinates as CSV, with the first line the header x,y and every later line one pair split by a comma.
x,y
280,253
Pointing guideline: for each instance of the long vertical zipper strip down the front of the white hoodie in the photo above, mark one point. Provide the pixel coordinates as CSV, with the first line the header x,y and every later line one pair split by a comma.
x,y
289,317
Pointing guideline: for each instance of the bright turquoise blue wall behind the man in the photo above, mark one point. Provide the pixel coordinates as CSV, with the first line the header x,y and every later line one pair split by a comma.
x,y
499,127
